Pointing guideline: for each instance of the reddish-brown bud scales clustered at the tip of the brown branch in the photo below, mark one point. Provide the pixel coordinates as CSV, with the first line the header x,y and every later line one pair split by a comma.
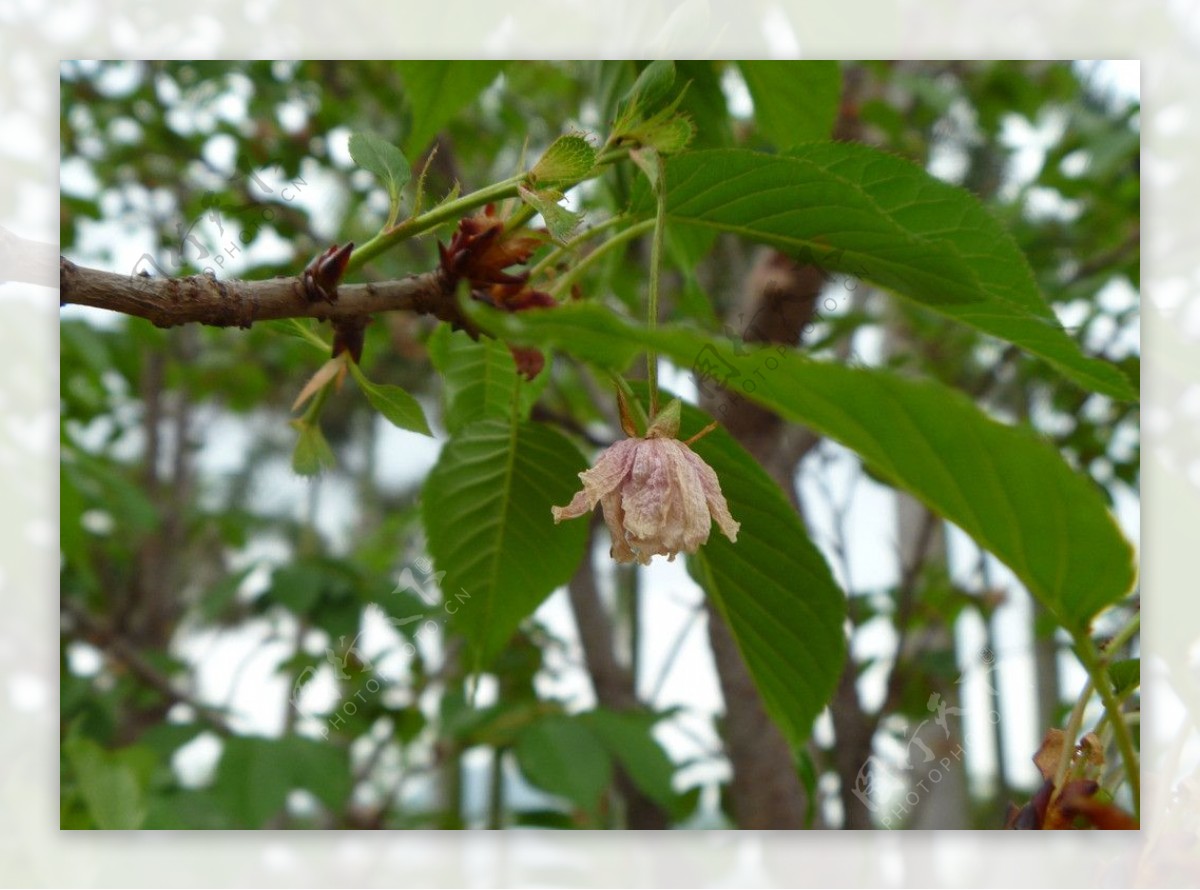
x,y
479,254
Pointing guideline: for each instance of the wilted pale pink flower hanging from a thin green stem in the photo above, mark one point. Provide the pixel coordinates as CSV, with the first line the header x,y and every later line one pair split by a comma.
x,y
658,496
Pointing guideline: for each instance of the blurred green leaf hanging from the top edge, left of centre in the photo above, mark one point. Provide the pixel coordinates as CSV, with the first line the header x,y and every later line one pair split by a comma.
x,y
436,92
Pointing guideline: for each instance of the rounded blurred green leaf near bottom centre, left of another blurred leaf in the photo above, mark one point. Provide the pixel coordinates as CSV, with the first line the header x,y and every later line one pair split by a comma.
x,y
560,755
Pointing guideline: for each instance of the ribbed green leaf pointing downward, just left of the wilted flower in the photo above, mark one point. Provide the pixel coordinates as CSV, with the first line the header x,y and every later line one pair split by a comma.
x,y
487,509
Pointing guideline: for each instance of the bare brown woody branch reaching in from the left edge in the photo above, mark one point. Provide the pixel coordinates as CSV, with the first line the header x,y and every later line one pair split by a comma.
x,y
202,299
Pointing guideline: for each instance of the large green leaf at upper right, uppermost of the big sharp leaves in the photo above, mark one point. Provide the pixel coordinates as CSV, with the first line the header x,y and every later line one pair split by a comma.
x,y
856,211
